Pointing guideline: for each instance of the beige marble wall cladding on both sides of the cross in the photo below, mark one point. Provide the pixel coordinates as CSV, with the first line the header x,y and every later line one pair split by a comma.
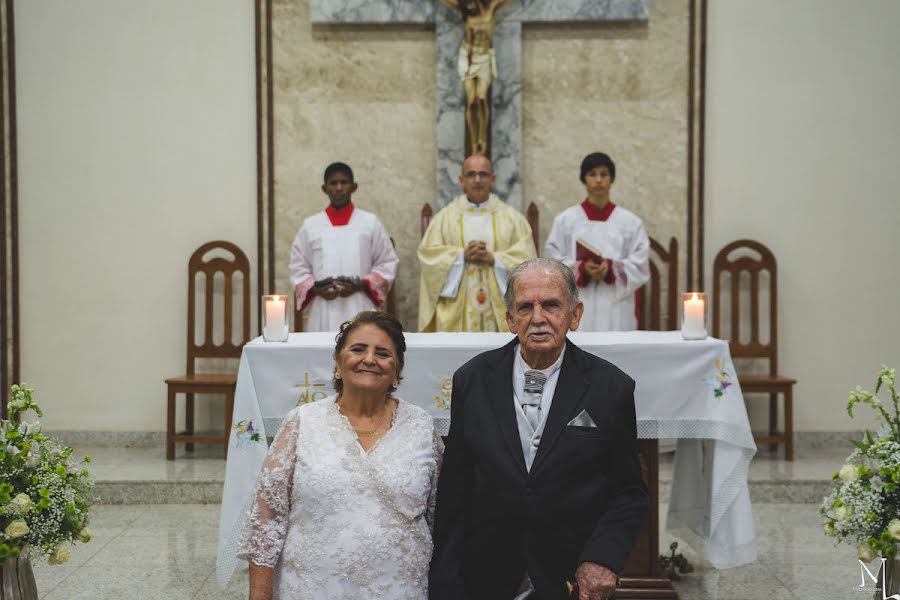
x,y
366,96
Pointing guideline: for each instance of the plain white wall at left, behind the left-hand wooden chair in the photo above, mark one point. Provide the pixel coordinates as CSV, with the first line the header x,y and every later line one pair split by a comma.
x,y
136,145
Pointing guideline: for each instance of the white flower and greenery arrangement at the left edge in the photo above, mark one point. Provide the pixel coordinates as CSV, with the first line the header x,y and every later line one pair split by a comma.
x,y
45,497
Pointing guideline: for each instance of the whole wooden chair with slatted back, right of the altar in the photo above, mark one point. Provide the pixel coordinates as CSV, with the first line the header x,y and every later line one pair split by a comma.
x,y
754,259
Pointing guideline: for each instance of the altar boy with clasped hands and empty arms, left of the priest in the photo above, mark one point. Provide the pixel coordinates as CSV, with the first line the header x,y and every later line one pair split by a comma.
x,y
342,259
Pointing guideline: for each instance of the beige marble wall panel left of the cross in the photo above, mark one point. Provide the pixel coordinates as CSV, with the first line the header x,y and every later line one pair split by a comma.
x,y
360,95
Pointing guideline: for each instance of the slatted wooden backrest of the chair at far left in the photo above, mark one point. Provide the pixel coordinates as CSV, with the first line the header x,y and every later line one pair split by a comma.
x,y
207,267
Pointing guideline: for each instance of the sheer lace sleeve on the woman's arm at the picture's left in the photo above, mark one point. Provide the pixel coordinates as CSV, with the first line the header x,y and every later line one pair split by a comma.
x,y
267,520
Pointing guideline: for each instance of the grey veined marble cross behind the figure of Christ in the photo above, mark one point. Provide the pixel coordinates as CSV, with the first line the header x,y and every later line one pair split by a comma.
x,y
505,111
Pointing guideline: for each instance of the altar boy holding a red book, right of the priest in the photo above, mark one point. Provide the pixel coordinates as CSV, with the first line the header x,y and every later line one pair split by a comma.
x,y
607,248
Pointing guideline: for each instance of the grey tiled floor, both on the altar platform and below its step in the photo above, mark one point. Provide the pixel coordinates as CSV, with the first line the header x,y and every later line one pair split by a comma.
x,y
167,551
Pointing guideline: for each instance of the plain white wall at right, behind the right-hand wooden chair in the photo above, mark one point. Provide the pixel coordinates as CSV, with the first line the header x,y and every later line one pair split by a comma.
x,y
803,148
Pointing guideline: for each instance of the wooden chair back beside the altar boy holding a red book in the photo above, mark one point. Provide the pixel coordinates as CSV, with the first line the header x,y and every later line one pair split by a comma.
x,y
658,309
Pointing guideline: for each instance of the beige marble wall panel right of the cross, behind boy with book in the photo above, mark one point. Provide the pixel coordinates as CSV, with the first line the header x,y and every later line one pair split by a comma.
x,y
616,88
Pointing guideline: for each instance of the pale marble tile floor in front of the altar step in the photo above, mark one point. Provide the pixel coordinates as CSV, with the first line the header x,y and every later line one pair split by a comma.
x,y
152,552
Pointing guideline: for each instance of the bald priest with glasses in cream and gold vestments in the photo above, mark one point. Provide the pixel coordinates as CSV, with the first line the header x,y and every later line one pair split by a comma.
x,y
466,254
